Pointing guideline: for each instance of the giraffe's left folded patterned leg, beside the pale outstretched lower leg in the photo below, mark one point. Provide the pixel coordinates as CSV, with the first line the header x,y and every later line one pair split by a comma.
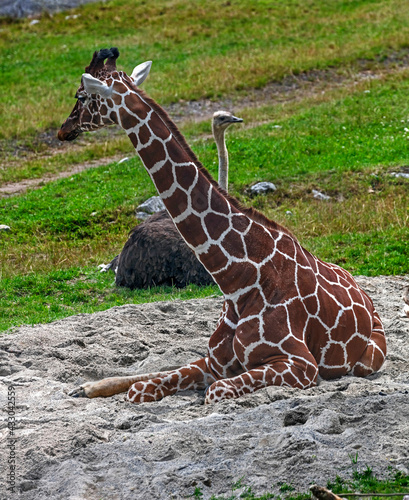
x,y
193,376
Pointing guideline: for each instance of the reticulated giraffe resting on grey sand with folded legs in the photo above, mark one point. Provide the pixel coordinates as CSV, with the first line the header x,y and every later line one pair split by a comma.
x,y
287,316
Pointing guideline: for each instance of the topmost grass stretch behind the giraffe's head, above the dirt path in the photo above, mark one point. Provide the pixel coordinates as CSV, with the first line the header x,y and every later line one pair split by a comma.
x,y
223,48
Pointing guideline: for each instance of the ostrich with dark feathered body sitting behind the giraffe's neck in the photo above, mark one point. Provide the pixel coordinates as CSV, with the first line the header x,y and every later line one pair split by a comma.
x,y
155,253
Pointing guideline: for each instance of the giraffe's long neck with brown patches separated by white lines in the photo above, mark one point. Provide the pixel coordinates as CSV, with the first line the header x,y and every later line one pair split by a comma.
x,y
203,216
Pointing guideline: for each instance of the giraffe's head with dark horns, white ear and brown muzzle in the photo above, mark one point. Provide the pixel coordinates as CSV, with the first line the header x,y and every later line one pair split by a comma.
x,y
100,94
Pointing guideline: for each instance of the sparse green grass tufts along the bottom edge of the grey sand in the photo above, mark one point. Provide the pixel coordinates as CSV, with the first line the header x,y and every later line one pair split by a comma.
x,y
360,482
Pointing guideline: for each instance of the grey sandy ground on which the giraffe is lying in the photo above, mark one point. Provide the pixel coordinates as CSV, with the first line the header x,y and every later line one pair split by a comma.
x,y
107,449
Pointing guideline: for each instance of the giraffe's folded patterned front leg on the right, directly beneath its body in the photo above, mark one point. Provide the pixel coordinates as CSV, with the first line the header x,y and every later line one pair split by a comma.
x,y
281,373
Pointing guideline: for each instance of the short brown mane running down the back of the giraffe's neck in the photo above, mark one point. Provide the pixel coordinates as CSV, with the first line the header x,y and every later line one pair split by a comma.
x,y
248,211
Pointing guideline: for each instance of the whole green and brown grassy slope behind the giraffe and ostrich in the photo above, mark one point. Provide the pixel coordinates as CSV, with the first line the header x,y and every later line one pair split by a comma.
x,y
343,142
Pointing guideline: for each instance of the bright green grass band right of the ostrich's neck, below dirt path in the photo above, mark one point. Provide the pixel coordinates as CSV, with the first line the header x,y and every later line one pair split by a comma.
x,y
364,129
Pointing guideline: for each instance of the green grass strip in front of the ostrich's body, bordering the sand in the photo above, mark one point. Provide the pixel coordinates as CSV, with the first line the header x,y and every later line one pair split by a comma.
x,y
42,298
